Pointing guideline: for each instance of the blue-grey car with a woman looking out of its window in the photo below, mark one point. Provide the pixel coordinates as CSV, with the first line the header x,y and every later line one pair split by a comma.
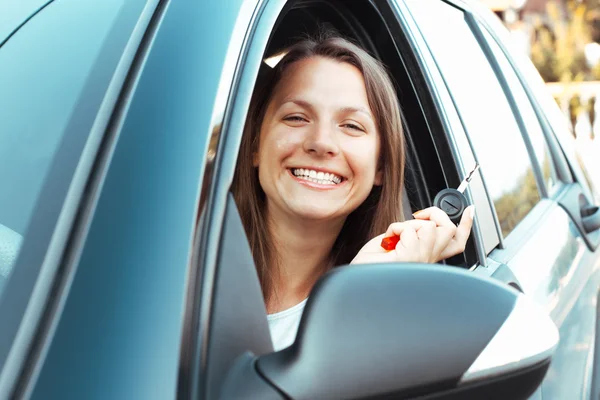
x,y
125,272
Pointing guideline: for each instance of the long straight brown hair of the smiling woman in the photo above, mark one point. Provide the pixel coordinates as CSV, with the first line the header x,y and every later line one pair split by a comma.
x,y
383,205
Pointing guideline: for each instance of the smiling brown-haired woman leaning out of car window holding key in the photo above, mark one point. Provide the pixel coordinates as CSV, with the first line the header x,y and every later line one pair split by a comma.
x,y
321,172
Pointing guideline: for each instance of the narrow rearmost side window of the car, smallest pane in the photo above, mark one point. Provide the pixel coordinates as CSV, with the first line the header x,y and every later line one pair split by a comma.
x,y
532,124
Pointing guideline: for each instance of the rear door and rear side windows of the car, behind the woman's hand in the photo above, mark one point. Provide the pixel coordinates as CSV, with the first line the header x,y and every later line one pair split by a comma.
x,y
540,245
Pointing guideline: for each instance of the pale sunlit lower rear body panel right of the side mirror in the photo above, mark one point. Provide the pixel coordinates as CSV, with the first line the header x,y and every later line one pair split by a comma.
x,y
555,268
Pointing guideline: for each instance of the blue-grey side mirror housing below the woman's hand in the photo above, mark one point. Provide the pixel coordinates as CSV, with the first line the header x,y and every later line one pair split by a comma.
x,y
408,330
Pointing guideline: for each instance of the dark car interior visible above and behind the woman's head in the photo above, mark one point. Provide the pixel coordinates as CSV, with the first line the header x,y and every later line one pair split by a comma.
x,y
426,152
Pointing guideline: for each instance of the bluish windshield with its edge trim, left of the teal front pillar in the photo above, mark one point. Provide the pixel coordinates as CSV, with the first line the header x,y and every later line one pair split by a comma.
x,y
61,70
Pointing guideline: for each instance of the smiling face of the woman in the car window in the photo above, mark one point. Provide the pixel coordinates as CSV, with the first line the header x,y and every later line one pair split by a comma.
x,y
319,146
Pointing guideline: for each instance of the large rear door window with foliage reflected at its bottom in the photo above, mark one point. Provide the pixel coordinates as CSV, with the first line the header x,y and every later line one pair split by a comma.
x,y
484,108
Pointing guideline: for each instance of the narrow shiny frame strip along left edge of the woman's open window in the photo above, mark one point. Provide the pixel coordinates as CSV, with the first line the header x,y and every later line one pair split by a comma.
x,y
245,55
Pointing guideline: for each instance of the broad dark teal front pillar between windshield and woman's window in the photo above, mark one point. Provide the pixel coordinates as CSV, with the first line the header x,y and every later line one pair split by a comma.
x,y
140,239
